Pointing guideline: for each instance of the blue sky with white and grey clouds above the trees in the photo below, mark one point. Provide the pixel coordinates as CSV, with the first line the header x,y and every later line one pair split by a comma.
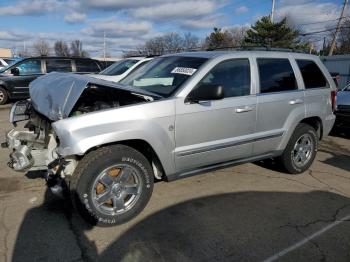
x,y
128,23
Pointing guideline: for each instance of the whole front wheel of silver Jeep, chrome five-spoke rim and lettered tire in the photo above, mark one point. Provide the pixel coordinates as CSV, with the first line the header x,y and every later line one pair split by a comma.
x,y
112,185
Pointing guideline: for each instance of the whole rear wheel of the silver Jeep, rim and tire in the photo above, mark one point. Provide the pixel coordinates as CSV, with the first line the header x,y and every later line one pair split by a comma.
x,y
301,149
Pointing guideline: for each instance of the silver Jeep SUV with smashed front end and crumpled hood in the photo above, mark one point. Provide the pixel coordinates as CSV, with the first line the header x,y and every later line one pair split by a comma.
x,y
178,115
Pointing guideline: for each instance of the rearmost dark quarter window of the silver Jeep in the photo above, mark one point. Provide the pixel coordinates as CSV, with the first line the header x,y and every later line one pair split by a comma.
x,y
312,75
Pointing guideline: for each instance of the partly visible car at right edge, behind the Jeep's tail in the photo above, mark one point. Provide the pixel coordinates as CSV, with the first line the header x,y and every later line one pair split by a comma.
x,y
343,108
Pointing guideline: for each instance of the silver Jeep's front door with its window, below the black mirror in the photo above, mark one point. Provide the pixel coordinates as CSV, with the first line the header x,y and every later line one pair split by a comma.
x,y
212,132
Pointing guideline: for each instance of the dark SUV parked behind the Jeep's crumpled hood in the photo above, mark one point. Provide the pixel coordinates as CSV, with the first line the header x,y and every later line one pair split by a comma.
x,y
15,79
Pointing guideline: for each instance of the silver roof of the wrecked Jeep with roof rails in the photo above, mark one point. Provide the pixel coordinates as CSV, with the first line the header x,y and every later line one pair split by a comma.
x,y
215,54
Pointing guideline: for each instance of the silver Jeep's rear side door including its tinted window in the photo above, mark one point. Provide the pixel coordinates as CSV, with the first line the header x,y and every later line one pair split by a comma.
x,y
279,103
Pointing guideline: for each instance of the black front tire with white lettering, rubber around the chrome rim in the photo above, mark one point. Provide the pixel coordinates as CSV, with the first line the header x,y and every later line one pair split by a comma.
x,y
88,170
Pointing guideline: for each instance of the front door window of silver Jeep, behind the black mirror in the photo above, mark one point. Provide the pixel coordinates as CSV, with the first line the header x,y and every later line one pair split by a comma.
x,y
232,75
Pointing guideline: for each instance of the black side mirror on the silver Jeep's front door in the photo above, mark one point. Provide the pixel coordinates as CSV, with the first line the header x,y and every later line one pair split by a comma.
x,y
205,92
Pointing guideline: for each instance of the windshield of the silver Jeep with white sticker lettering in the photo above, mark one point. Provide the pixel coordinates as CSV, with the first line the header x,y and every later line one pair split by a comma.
x,y
164,75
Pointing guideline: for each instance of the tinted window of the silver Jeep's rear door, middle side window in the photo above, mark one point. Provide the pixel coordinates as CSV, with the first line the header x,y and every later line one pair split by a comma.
x,y
276,75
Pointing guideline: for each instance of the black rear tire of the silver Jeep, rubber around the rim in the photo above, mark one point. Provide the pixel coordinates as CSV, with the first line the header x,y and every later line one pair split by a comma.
x,y
287,157
